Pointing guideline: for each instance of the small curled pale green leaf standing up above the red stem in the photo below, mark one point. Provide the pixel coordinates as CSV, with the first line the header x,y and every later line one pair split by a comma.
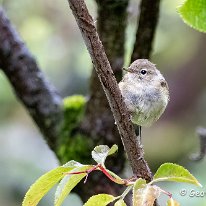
x,y
100,153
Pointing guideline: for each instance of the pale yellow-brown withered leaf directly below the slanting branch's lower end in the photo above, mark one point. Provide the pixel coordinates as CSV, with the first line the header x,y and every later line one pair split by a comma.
x,y
144,194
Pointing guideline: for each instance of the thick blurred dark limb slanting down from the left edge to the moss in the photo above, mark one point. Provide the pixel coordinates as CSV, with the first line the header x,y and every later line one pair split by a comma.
x,y
39,97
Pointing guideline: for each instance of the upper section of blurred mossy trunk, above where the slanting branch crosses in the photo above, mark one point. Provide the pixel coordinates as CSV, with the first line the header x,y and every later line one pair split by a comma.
x,y
111,25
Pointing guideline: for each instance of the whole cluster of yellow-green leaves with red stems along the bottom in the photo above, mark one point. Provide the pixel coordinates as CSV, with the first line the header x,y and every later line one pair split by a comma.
x,y
73,172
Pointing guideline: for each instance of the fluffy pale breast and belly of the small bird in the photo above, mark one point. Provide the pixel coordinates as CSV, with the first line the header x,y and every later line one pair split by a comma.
x,y
145,103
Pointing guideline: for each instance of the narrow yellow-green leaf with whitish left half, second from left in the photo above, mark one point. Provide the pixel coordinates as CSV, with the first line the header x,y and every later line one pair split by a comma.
x,y
68,183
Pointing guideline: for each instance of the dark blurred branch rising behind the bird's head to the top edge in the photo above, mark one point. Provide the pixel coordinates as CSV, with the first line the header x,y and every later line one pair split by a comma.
x,y
146,29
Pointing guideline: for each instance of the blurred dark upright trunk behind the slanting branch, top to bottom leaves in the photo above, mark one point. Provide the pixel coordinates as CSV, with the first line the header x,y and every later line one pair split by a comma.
x,y
98,123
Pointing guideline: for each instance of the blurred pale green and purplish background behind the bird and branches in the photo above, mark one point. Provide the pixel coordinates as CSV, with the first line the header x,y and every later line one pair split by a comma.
x,y
50,32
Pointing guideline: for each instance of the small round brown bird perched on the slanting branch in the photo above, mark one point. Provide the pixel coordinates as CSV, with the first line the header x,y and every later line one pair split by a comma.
x,y
145,92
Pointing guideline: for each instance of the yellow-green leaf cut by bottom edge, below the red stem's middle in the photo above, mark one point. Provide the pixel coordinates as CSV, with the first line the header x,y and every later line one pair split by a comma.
x,y
100,200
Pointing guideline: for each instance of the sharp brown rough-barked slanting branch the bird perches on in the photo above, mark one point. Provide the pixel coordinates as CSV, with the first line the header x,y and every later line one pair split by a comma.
x,y
110,86
